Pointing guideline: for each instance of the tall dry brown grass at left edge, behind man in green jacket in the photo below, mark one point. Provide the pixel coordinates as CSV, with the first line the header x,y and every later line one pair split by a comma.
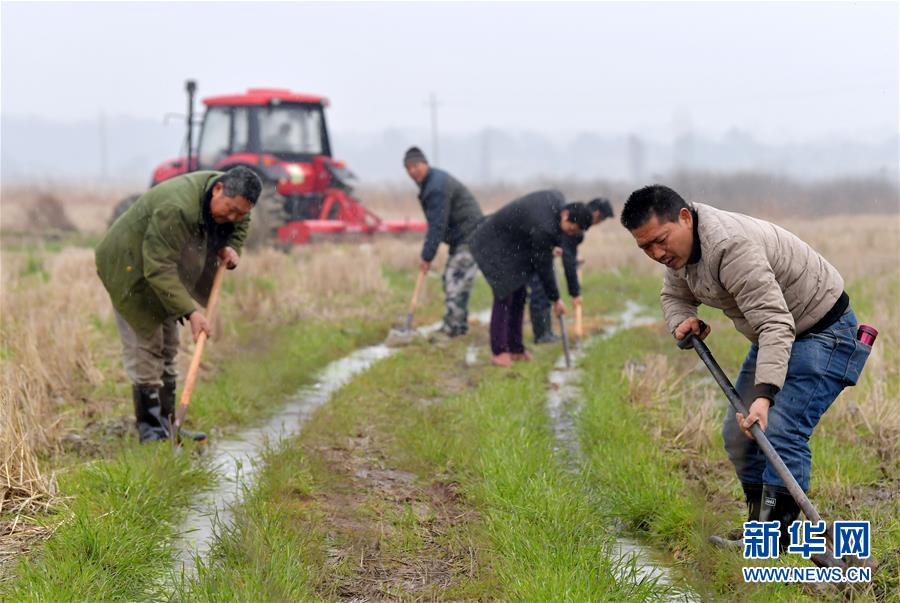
x,y
49,351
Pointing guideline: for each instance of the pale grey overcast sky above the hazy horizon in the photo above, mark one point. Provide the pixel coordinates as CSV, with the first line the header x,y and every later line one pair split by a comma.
x,y
782,71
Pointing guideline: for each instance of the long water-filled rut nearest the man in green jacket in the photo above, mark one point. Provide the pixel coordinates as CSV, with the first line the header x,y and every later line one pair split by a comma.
x,y
236,461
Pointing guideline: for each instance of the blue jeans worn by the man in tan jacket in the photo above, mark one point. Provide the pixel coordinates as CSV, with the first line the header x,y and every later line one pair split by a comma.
x,y
820,367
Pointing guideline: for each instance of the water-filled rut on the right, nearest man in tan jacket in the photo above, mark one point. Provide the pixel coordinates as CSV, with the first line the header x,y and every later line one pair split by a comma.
x,y
563,405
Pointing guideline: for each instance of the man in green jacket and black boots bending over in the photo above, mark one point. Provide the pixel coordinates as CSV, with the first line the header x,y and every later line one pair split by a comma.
x,y
157,262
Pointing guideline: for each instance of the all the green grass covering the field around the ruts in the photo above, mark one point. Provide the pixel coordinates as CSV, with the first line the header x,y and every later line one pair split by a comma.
x,y
532,530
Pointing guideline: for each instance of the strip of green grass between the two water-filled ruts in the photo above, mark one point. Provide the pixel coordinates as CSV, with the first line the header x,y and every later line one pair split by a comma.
x,y
534,532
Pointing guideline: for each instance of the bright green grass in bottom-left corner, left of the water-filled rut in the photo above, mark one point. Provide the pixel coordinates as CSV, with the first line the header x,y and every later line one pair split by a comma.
x,y
113,542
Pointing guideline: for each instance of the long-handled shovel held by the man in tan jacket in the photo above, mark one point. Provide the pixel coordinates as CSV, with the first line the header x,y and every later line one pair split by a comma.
x,y
691,340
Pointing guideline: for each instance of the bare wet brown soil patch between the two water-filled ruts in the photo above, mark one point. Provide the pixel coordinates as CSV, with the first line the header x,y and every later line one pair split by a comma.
x,y
388,532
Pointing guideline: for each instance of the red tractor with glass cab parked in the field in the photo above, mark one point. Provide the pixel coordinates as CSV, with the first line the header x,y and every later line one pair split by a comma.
x,y
283,137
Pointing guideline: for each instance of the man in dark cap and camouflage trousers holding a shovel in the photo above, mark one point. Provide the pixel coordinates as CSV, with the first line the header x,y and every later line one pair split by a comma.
x,y
452,214
